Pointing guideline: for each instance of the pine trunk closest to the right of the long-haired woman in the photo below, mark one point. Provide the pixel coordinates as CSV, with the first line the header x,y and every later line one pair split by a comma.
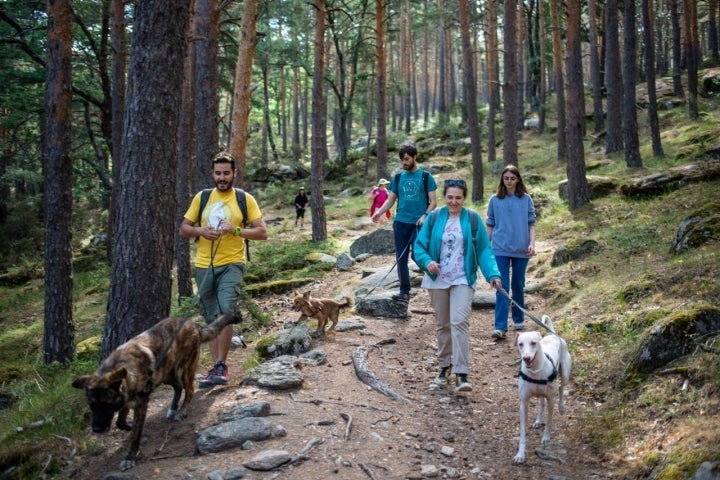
x,y
578,189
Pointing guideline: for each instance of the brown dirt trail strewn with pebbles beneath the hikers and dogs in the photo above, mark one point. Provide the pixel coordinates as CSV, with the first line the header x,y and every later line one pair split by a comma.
x,y
389,439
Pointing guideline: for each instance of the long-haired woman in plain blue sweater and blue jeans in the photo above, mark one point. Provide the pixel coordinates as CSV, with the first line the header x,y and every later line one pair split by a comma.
x,y
511,228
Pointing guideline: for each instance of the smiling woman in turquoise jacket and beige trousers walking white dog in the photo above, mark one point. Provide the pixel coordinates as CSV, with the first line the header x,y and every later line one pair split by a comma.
x,y
450,247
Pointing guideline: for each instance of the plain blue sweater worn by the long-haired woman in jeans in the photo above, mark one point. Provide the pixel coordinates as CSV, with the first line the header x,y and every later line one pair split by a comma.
x,y
510,219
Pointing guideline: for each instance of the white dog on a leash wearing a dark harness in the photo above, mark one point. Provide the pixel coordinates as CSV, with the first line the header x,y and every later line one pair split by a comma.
x,y
543,359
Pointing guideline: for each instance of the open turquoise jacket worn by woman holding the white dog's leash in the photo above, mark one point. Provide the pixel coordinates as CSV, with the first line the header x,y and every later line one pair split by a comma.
x,y
427,246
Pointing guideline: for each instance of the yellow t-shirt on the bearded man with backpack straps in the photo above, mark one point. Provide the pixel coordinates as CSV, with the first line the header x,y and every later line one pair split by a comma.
x,y
221,205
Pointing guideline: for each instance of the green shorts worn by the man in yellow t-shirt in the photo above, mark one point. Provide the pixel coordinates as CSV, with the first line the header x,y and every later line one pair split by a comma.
x,y
218,289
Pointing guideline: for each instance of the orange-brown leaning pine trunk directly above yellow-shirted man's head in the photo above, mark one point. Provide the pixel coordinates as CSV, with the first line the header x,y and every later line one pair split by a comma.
x,y
243,88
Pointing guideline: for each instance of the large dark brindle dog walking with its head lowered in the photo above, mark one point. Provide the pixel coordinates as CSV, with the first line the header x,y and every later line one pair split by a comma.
x,y
166,353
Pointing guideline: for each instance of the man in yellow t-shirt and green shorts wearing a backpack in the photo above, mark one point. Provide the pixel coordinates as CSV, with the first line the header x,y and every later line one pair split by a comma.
x,y
221,256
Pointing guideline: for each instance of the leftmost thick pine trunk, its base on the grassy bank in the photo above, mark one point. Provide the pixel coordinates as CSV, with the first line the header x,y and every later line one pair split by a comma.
x,y
59,330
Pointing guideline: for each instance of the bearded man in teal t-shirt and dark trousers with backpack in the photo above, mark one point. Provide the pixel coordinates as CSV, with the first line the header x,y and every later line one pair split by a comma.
x,y
415,191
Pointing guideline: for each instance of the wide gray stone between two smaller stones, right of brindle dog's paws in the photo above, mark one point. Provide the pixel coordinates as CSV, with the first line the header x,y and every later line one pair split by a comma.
x,y
227,435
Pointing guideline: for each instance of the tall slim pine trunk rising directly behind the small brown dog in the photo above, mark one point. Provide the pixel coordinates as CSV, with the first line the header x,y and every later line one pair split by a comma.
x,y
319,135
